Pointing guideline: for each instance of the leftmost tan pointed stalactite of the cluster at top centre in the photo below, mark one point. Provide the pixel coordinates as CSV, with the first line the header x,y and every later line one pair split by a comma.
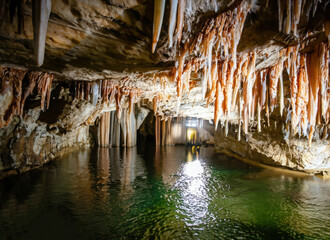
x,y
159,8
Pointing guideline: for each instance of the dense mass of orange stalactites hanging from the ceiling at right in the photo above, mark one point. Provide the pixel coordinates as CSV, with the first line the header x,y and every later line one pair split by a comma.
x,y
231,82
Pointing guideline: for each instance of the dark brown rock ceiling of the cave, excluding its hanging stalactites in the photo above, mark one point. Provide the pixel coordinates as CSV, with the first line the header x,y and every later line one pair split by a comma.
x,y
91,40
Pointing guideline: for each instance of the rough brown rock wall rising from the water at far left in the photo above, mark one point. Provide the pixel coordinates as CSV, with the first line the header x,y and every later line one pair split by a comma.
x,y
27,143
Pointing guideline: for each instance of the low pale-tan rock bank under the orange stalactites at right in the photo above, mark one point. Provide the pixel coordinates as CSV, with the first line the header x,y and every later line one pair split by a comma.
x,y
271,147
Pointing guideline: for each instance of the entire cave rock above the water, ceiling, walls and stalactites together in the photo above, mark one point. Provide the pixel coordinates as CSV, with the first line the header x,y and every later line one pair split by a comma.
x,y
75,73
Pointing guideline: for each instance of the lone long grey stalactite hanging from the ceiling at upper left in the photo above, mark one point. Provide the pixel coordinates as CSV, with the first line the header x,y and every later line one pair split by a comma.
x,y
40,14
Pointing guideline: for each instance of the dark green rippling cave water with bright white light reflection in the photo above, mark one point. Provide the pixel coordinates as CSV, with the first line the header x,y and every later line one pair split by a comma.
x,y
161,193
